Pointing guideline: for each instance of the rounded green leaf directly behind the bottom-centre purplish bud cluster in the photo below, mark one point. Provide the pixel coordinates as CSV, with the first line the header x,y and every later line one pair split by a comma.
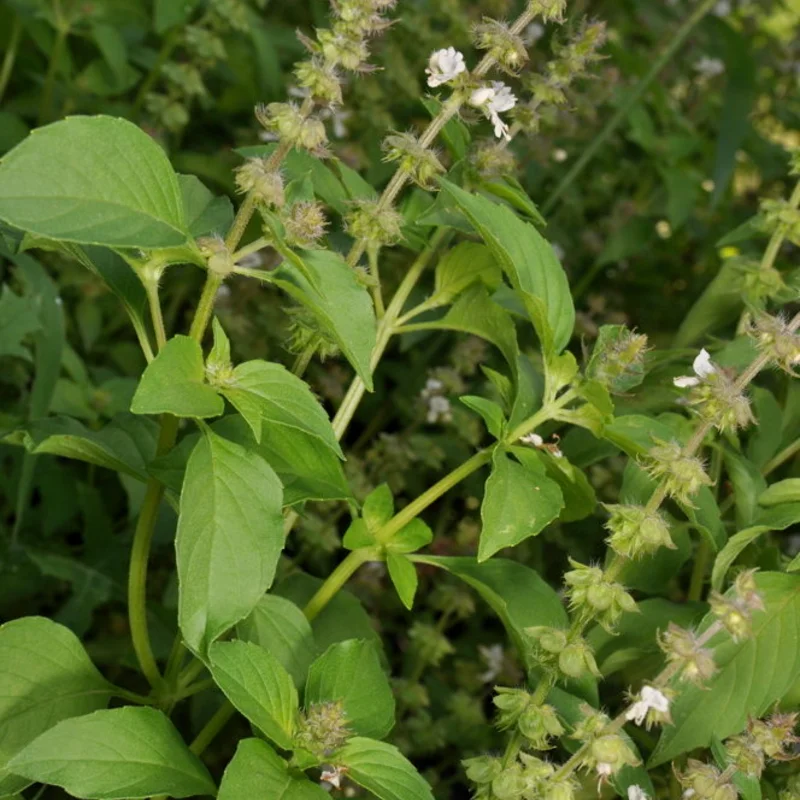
x,y
351,672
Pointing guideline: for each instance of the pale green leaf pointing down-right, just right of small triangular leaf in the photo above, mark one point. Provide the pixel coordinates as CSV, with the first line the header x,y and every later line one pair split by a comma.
x,y
268,393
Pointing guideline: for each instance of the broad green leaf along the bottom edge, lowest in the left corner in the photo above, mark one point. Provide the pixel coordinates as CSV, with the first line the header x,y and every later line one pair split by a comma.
x,y
124,753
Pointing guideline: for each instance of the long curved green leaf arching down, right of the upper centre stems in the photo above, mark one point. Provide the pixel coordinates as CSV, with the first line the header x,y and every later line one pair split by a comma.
x,y
529,262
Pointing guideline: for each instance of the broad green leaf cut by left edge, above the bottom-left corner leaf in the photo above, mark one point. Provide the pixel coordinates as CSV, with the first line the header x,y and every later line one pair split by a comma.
x,y
46,677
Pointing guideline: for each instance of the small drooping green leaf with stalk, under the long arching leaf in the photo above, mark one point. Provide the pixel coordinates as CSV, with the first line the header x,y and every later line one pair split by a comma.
x,y
475,313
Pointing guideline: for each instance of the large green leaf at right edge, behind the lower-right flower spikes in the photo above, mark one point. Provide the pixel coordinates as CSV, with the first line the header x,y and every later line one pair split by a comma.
x,y
752,674
